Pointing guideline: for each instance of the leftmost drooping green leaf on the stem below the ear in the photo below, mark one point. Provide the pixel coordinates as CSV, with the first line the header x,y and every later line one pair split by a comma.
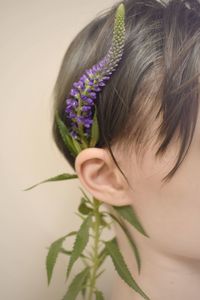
x,y
52,255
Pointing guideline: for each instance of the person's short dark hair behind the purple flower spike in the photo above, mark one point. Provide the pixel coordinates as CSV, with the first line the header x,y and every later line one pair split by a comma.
x,y
157,77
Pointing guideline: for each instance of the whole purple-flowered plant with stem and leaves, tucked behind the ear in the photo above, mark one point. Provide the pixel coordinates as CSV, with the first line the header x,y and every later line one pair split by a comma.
x,y
81,132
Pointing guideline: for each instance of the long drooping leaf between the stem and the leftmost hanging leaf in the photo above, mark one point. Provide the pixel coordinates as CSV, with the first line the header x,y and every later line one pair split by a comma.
x,y
81,241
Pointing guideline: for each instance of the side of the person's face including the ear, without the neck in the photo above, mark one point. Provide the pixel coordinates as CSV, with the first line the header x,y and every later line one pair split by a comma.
x,y
170,212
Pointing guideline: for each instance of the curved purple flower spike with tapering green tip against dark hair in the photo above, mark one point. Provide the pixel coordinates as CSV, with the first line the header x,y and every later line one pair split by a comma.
x,y
83,95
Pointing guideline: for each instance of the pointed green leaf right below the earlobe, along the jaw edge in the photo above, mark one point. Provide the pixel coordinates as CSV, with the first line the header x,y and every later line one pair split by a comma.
x,y
128,213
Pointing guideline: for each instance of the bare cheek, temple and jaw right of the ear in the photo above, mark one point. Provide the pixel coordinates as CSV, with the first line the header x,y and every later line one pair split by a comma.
x,y
170,213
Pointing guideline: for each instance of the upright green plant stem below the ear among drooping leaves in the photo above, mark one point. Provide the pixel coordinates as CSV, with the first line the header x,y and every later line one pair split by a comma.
x,y
95,259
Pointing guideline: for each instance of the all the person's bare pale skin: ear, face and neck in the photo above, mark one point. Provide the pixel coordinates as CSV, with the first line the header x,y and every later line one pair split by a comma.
x,y
169,213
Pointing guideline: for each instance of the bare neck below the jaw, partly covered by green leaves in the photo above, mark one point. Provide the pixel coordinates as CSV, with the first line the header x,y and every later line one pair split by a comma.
x,y
162,276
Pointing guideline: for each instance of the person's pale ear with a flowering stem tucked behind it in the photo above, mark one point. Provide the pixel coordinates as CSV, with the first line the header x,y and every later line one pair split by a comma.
x,y
101,177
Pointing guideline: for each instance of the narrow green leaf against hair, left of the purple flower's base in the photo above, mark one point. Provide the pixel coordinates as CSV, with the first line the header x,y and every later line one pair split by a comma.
x,y
66,137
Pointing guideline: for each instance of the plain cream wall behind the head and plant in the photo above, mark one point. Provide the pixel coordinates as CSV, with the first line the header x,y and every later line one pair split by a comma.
x,y
34,38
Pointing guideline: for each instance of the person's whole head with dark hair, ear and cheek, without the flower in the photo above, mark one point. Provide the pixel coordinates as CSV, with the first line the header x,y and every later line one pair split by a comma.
x,y
148,110
